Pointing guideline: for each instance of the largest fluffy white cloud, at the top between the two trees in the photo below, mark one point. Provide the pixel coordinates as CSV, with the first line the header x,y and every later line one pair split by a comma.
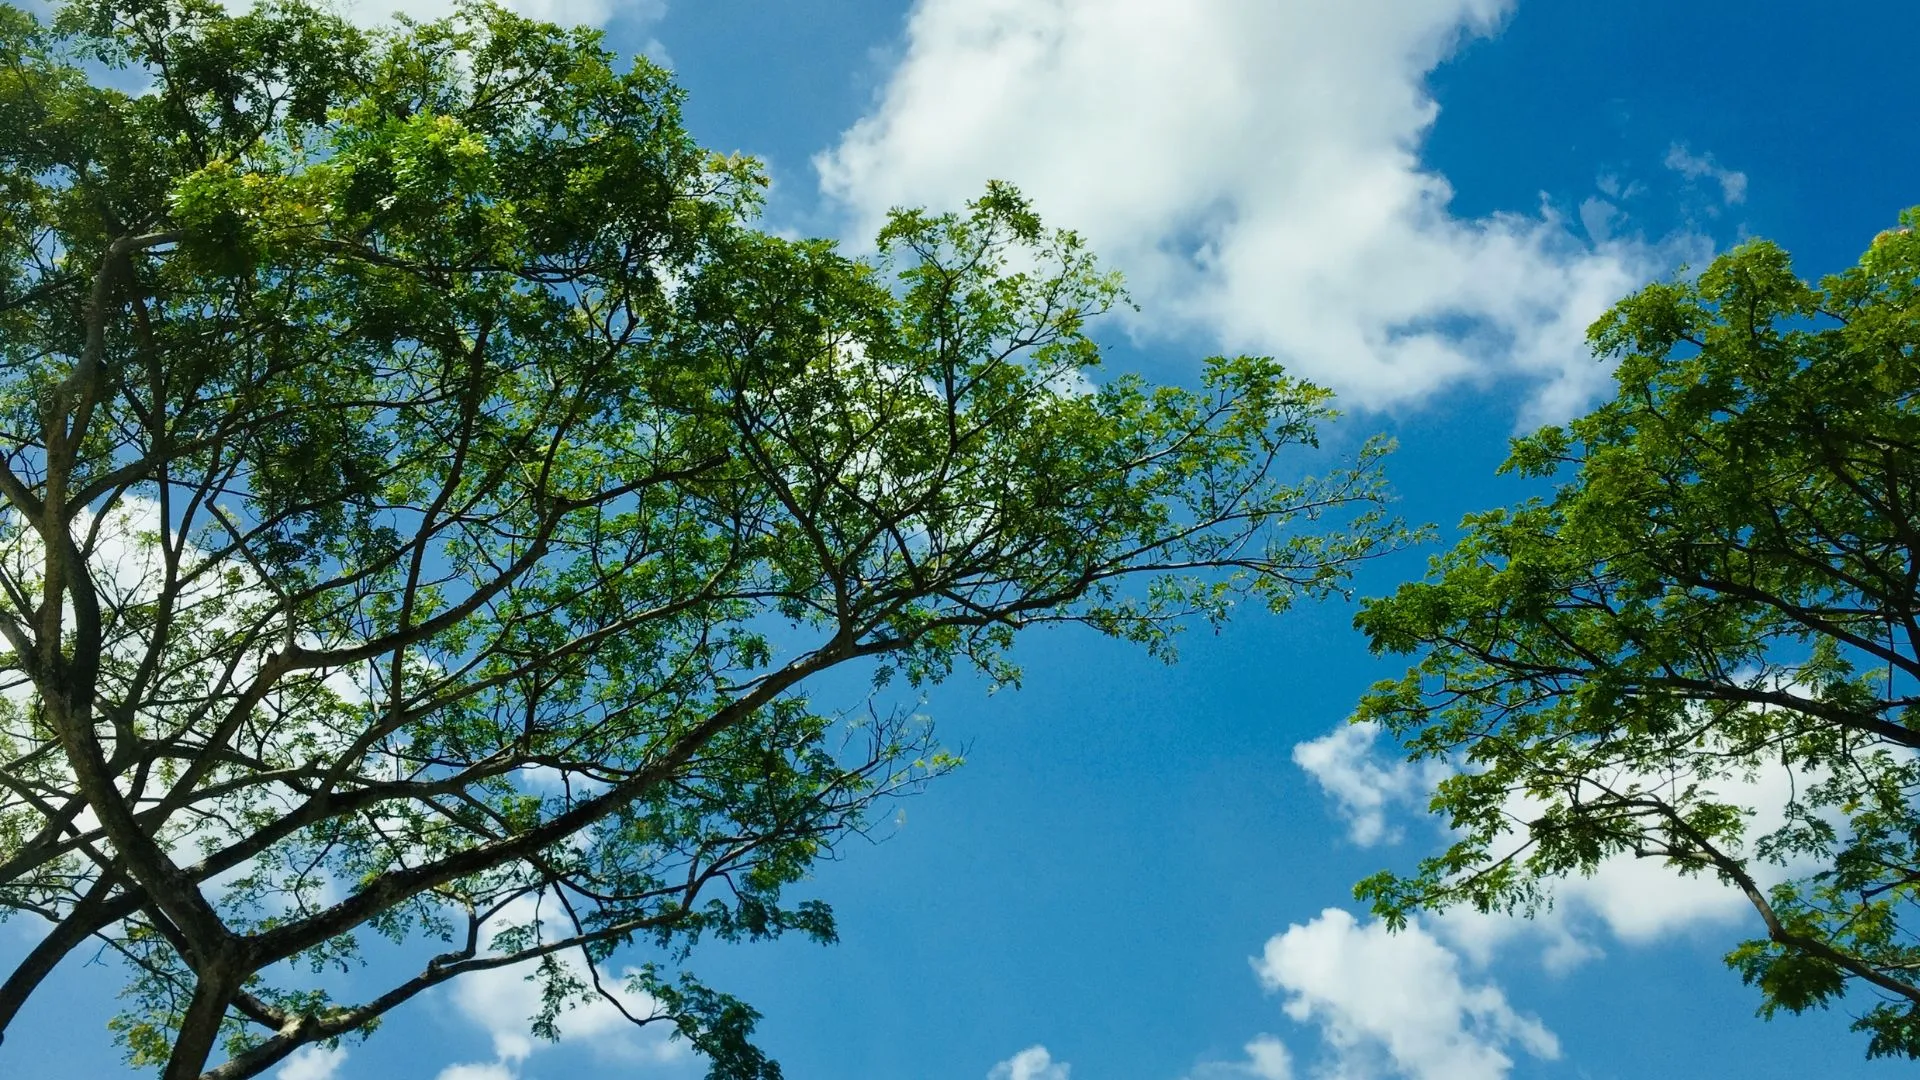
x,y
1255,170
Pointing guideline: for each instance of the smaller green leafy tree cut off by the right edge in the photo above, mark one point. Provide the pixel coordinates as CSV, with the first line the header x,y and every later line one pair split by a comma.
x,y
1721,591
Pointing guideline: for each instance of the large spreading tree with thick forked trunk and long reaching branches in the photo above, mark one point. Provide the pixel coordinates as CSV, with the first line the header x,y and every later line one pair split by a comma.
x,y
431,501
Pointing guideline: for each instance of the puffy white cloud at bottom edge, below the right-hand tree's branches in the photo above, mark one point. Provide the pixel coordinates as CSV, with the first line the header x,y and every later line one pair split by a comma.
x,y
1395,1004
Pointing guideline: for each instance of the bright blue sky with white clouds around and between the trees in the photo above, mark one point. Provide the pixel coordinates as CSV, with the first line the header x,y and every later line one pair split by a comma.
x,y
1143,871
